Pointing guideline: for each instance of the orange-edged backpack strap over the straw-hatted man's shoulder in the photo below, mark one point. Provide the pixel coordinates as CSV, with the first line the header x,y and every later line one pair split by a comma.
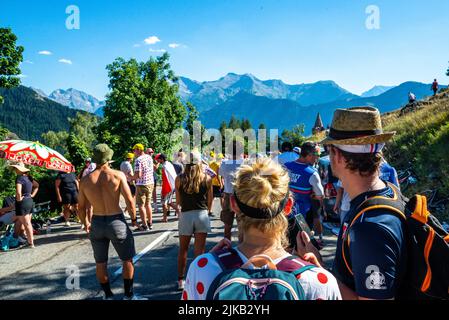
x,y
395,206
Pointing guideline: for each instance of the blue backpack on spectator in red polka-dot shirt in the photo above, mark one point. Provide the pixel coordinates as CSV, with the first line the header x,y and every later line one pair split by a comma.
x,y
237,282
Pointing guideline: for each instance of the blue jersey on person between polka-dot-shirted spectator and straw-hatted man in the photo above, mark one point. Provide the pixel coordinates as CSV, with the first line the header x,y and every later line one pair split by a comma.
x,y
300,186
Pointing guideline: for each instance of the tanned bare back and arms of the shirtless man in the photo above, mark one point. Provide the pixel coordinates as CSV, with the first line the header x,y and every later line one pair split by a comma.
x,y
102,189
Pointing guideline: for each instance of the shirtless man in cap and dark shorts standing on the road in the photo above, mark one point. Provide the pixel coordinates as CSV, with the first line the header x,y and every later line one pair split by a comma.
x,y
102,189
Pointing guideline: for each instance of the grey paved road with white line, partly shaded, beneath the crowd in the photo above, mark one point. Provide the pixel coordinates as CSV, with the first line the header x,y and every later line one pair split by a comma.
x,y
41,273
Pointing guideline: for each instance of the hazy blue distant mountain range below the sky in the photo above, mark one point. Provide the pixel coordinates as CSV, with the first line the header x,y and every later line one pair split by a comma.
x,y
272,102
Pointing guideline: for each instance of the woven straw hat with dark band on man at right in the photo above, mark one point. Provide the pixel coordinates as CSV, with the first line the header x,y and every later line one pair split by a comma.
x,y
357,126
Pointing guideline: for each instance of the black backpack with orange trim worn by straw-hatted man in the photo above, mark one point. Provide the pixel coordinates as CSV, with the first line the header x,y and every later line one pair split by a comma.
x,y
427,268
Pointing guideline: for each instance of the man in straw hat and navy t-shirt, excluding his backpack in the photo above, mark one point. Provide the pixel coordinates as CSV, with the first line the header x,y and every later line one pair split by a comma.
x,y
372,261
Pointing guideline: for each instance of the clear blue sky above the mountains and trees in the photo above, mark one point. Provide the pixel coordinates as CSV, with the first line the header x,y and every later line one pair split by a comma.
x,y
293,40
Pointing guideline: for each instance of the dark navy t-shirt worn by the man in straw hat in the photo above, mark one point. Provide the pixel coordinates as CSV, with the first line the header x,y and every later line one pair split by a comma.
x,y
377,251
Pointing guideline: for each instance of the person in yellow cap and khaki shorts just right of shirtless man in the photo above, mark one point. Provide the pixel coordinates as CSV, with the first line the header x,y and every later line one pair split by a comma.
x,y
143,175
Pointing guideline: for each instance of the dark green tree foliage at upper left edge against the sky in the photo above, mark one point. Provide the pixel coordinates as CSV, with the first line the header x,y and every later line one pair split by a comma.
x,y
10,59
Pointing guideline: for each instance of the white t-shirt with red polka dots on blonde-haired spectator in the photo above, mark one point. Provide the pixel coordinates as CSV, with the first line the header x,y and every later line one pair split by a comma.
x,y
318,284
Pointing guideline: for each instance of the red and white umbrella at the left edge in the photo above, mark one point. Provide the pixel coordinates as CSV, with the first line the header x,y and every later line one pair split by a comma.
x,y
34,154
